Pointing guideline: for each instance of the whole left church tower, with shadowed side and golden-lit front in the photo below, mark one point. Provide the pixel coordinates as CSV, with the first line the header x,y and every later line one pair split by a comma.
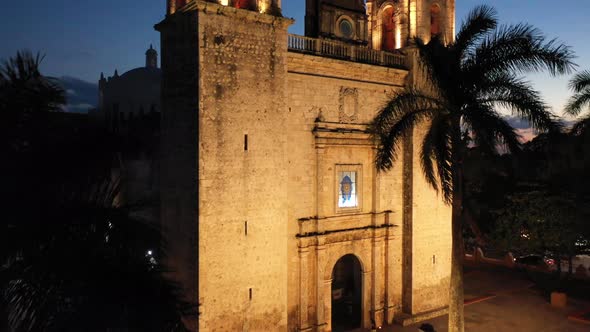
x,y
223,143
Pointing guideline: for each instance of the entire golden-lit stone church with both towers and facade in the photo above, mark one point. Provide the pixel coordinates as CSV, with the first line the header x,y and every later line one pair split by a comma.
x,y
275,215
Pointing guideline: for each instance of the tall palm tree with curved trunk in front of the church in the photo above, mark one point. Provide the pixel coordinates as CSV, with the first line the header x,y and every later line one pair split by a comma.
x,y
469,79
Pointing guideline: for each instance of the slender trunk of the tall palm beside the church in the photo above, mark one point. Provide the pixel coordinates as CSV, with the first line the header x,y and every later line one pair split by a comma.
x,y
456,296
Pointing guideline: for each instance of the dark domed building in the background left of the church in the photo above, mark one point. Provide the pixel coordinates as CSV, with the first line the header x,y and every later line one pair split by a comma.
x,y
129,107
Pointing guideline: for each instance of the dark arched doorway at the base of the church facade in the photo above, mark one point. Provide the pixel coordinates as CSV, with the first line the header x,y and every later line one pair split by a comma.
x,y
347,293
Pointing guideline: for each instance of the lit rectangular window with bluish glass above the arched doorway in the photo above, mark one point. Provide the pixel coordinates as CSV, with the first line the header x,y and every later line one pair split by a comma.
x,y
348,188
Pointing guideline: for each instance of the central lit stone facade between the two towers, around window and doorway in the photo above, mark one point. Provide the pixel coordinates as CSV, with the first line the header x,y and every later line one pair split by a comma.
x,y
316,87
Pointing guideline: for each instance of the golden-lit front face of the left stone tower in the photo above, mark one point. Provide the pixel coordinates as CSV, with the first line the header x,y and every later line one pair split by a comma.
x,y
242,171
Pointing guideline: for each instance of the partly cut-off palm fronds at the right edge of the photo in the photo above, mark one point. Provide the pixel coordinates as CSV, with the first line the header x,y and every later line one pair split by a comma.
x,y
580,84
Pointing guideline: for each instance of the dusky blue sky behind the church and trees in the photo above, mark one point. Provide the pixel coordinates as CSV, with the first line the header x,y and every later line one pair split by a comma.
x,y
82,38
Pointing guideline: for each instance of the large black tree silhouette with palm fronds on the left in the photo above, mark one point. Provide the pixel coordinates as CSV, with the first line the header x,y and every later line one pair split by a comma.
x,y
71,257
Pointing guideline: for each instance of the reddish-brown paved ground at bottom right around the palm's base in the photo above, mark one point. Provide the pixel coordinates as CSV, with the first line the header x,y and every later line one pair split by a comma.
x,y
509,303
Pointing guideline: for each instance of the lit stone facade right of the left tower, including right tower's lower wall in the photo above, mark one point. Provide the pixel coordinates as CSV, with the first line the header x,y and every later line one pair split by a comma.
x,y
321,137
